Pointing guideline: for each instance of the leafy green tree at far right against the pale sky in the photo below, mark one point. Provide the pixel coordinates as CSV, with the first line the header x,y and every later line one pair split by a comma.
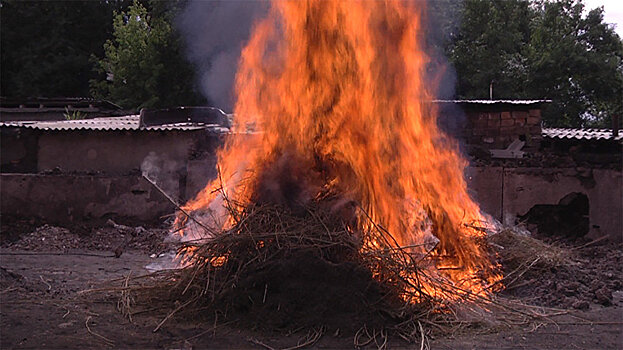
x,y
576,61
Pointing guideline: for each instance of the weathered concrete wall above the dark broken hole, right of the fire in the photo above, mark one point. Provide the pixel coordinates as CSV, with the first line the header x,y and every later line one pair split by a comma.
x,y
506,193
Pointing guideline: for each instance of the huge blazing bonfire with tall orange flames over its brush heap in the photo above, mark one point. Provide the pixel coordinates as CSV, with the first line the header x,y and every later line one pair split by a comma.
x,y
337,193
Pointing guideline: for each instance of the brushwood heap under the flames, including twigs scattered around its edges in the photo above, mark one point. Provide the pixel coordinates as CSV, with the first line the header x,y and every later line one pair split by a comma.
x,y
287,268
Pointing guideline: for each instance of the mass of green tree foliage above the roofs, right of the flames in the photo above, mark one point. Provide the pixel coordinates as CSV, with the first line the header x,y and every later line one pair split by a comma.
x,y
541,49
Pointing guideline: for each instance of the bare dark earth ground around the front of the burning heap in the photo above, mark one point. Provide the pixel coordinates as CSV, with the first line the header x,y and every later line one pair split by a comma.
x,y
41,308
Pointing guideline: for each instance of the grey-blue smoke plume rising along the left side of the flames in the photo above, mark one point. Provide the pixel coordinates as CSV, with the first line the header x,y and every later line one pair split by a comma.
x,y
215,32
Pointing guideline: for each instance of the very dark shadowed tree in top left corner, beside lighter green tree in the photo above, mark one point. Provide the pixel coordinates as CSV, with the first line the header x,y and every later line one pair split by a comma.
x,y
46,45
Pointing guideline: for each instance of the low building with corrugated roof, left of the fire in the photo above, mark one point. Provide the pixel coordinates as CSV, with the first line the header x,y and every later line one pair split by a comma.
x,y
91,170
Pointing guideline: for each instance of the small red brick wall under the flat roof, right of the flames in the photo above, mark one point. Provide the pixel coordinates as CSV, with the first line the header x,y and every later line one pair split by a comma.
x,y
497,129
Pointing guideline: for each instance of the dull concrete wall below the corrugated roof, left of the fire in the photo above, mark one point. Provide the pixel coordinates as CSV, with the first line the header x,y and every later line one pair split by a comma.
x,y
117,190
